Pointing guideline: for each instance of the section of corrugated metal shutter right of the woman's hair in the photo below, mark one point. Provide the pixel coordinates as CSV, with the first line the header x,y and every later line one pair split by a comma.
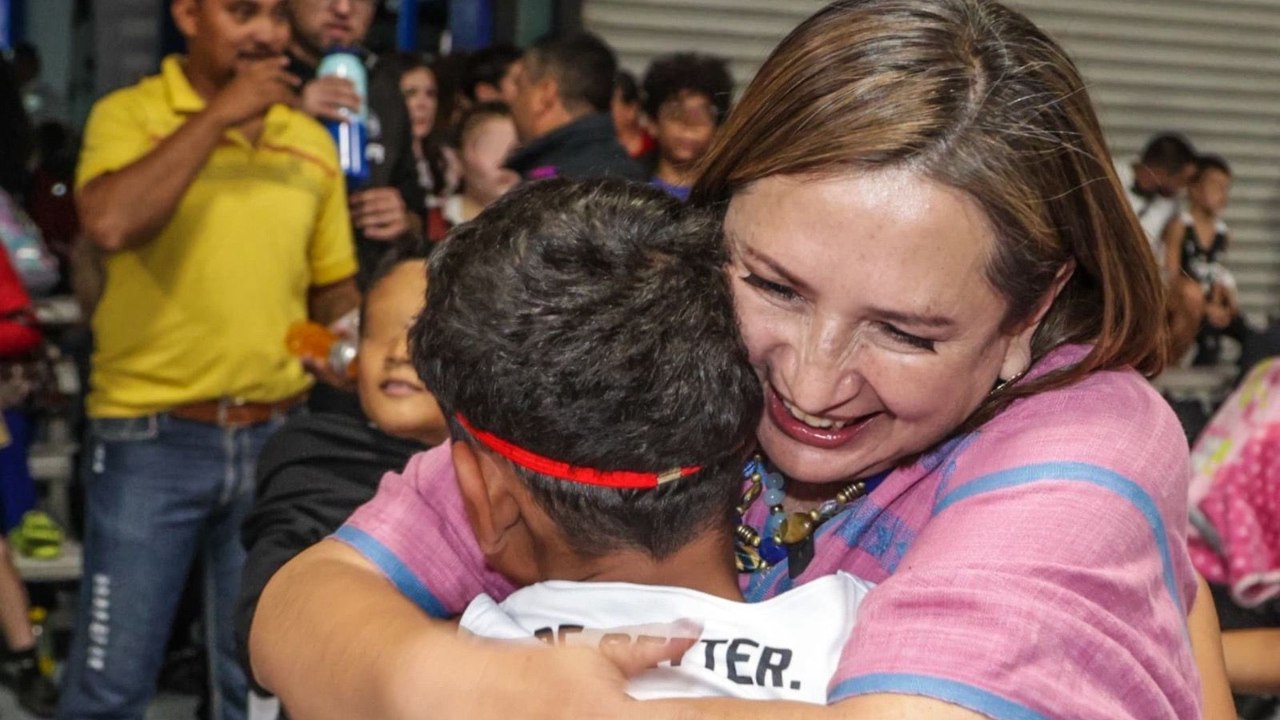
x,y
1209,69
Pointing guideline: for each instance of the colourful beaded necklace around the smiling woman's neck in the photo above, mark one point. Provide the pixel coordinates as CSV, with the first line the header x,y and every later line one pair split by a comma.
x,y
787,536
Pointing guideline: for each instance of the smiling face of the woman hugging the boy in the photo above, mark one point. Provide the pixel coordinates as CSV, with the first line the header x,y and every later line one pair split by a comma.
x,y
866,309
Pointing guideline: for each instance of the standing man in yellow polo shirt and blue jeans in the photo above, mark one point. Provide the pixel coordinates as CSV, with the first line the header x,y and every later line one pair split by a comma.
x,y
225,217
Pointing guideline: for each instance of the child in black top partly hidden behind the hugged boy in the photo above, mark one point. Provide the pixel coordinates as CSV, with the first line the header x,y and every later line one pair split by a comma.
x,y
317,470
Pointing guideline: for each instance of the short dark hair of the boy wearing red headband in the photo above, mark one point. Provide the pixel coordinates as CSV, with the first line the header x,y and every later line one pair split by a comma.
x,y
592,323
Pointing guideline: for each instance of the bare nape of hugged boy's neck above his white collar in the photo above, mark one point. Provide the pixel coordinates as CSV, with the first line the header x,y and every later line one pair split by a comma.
x,y
703,566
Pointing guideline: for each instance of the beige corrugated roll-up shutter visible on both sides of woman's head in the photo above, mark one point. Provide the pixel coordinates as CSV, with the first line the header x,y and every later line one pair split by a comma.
x,y
1209,69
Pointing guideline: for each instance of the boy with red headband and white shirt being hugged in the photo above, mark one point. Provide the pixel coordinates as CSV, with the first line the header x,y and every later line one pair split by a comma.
x,y
582,343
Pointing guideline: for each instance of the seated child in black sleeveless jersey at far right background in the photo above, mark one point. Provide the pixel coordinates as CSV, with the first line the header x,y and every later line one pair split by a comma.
x,y
1196,243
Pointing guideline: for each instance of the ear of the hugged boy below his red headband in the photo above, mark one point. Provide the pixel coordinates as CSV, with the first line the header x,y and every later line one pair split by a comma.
x,y
492,509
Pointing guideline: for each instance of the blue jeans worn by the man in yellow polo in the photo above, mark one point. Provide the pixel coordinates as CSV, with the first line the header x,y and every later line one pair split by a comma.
x,y
159,491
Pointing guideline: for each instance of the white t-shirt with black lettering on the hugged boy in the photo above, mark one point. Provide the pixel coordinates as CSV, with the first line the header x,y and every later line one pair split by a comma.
x,y
783,649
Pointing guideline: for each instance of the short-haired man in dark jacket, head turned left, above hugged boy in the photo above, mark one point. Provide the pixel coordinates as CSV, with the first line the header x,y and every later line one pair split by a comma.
x,y
565,88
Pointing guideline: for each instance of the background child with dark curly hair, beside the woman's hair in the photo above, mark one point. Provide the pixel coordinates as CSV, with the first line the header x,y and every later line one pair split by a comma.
x,y
687,97
